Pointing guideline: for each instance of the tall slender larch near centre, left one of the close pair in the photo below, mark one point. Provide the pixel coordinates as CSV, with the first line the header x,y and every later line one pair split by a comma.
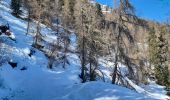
x,y
81,19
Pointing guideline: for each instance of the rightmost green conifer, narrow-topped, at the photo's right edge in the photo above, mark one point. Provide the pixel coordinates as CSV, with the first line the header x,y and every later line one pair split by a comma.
x,y
161,69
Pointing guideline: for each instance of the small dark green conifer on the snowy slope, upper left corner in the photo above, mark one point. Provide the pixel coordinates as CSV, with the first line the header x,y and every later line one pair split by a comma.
x,y
15,6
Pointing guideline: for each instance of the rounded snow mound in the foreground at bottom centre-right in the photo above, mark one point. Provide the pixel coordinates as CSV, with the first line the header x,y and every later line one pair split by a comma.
x,y
101,91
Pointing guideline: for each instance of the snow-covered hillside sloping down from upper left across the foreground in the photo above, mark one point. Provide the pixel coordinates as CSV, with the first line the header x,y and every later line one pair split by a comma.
x,y
32,80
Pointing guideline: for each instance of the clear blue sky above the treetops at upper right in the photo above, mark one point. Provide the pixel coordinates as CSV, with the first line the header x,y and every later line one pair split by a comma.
x,y
149,9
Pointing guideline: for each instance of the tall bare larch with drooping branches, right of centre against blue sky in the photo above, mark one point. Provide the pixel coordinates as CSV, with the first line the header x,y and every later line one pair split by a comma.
x,y
123,10
